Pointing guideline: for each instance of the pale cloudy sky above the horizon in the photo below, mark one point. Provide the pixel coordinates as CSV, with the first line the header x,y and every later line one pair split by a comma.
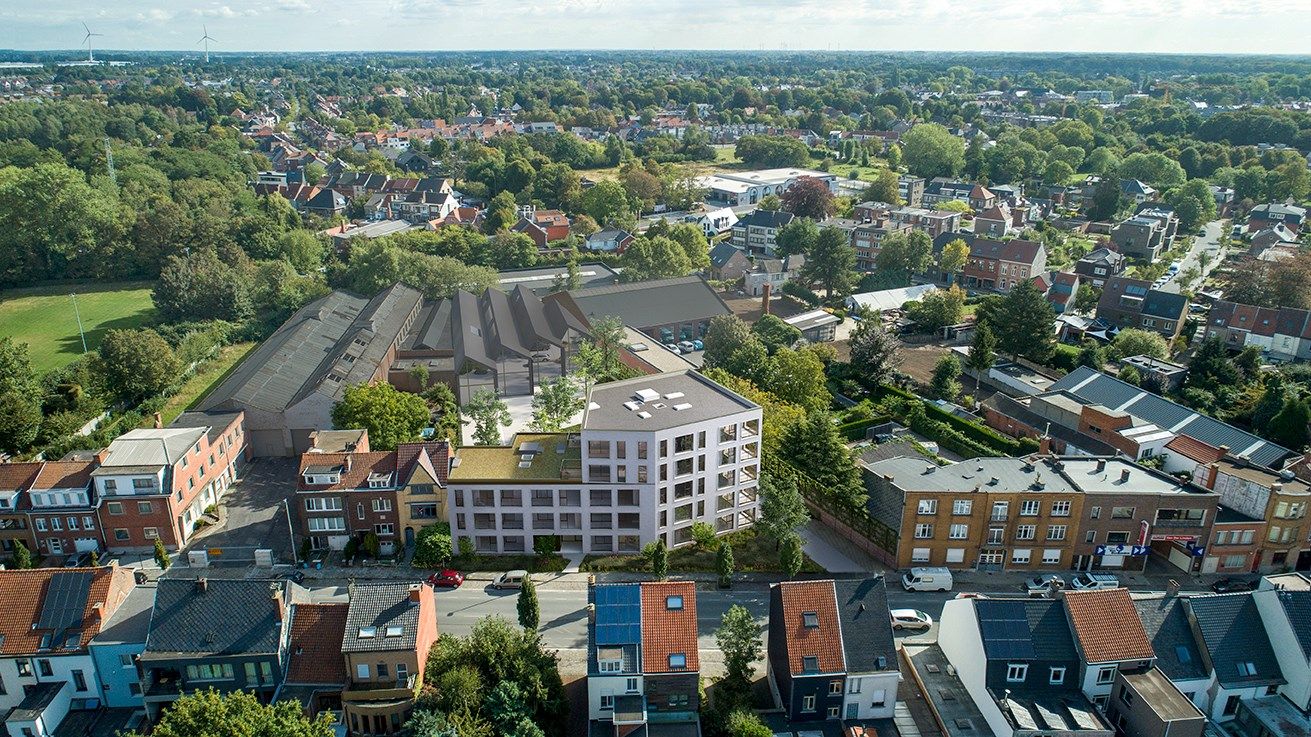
x,y
1247,27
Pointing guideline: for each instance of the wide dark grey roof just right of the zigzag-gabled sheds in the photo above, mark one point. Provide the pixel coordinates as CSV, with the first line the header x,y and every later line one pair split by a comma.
x,y
661,302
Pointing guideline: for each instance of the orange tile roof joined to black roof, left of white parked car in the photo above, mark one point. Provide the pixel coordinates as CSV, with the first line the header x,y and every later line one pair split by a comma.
x,y
823,639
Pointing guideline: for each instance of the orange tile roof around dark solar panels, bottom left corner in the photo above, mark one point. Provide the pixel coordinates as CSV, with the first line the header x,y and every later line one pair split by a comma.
x,y
26,596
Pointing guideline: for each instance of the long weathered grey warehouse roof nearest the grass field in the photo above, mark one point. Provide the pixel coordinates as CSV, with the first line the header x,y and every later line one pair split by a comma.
x,y
335,342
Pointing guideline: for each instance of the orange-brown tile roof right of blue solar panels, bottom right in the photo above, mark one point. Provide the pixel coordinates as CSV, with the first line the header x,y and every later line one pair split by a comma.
x,y
1107,627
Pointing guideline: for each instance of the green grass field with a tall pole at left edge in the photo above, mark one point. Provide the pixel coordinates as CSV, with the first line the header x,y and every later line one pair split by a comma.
x,y
44,318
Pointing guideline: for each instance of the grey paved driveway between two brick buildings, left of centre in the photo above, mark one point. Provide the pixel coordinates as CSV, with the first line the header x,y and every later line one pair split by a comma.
x,y
254,515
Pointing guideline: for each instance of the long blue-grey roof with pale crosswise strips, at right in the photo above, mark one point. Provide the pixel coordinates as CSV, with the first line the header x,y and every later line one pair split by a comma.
x,y
1108,391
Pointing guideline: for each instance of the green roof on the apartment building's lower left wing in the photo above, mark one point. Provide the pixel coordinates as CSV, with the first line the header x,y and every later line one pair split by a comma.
x,y
551,457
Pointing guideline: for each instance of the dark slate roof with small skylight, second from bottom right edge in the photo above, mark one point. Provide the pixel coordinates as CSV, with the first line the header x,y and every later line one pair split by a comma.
x,y
1234,635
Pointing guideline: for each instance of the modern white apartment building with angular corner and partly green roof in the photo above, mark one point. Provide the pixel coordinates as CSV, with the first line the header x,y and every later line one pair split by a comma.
x,y
655,456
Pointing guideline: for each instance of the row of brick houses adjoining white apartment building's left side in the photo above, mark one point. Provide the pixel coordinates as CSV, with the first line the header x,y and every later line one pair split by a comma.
x,y
356,492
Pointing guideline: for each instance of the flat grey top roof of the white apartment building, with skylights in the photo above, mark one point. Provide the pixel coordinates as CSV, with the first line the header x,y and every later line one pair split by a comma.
x,y
706,401
